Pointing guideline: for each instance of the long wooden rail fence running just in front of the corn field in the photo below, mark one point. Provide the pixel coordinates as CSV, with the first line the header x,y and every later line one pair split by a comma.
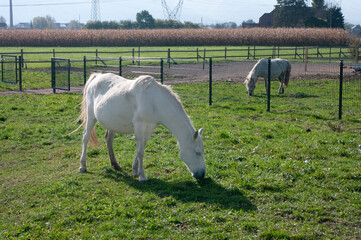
x,y
306,53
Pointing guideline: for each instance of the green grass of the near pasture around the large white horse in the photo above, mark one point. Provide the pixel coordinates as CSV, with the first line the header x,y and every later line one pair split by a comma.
x,y
292,173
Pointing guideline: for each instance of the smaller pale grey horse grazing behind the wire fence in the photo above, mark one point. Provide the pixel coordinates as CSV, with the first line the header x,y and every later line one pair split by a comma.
x,y
280,69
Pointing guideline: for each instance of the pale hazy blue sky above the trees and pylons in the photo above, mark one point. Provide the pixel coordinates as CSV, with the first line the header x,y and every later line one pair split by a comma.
x,y
196,11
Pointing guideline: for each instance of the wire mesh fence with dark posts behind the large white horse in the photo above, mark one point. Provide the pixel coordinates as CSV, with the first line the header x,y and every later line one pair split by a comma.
x,y
312,78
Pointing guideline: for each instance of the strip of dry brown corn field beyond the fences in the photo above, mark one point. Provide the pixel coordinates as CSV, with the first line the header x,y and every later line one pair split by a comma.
x,y
175,37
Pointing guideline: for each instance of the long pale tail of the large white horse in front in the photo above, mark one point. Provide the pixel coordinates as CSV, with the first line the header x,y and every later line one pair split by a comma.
x,y
94,141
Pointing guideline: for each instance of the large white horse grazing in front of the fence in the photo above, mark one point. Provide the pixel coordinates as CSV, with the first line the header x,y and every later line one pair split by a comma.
x,y
138,106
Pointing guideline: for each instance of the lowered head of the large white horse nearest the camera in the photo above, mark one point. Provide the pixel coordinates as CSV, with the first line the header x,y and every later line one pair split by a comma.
x,y
192,154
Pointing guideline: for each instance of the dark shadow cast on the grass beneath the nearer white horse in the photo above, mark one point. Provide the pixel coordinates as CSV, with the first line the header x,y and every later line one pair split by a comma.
x,y
205,191
